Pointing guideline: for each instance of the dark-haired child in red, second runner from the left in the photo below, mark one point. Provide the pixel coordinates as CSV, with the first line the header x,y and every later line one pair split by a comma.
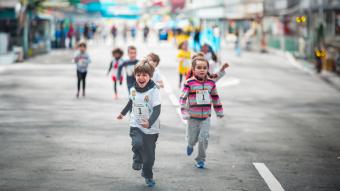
x,y
117,61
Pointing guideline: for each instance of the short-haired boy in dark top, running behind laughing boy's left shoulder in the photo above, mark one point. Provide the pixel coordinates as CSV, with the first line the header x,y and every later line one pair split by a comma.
x,y
129,65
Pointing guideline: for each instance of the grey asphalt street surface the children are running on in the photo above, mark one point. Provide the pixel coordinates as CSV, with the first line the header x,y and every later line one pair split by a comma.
x,y
275,114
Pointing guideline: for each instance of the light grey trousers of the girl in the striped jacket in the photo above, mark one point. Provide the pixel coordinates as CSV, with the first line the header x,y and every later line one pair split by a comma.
x,y
198,131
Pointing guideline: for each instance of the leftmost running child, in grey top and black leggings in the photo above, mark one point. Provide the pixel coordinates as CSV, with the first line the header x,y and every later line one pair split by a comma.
x,y
82,60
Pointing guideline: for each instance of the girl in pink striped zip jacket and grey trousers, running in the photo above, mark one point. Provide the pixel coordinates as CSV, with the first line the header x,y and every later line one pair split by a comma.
x,y
198,94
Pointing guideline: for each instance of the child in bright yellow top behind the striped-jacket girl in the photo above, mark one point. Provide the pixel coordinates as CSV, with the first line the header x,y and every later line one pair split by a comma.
x,y
183,56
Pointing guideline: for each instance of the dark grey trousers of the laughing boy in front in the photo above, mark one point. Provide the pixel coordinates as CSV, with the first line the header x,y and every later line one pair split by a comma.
x,y
143,147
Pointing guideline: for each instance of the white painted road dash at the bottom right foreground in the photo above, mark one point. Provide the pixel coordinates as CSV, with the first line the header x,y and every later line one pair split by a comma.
x,y
268,177
